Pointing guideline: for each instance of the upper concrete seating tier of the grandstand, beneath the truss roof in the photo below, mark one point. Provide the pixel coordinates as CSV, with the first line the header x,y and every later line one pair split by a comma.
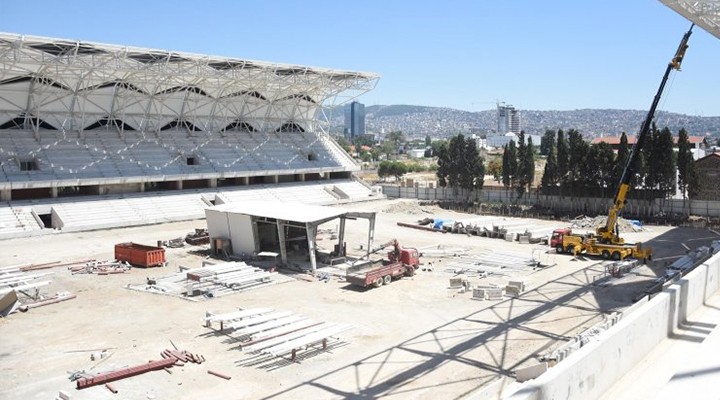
x,y
107,154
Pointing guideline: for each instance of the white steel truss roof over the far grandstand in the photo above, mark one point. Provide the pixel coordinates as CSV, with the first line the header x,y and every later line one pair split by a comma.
x,y
72,85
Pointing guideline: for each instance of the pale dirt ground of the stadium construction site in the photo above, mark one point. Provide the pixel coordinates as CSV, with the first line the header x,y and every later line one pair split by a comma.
x,y
412,339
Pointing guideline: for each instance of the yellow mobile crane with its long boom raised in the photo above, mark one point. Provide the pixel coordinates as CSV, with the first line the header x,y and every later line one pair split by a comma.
x,y
606,241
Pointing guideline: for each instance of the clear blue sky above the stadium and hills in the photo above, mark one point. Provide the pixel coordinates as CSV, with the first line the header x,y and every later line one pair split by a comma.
x,y
536,55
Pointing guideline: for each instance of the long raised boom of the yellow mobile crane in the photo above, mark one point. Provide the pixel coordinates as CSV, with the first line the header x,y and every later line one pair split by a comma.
x,y
608,233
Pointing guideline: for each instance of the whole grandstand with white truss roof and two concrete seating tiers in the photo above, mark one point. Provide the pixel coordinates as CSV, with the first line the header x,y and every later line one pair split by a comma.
x,y
88,131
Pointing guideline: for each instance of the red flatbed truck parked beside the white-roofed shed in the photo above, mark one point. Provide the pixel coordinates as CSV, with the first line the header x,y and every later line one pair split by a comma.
x,y
400,262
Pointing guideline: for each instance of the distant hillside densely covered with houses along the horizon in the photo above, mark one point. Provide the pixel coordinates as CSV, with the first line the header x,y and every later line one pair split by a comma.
x,y
444,122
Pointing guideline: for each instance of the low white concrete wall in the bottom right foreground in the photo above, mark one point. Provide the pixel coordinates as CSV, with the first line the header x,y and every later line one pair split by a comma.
x,y
592,370
